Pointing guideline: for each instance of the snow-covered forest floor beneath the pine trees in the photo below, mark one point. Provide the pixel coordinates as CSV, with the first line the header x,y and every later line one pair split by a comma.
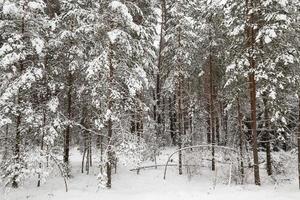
x,y
149,184
